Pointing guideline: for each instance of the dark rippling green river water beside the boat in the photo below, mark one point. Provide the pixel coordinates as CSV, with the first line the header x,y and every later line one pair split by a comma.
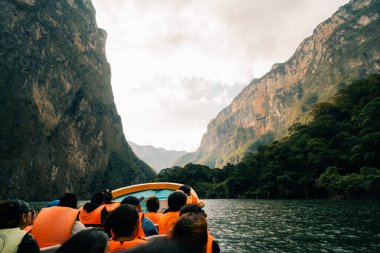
x,y
292,225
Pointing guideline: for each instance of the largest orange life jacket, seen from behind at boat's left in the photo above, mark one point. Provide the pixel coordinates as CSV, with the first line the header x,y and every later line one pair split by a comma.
x,y
53,225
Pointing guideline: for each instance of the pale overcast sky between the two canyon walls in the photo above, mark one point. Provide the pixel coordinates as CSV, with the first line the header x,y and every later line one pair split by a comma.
x,y
177,63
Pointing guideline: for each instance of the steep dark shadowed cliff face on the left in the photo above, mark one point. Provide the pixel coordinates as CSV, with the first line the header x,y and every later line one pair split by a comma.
x,y
60,130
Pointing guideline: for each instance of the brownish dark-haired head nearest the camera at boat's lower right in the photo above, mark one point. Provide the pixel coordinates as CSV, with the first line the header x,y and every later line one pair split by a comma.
x,y
191,230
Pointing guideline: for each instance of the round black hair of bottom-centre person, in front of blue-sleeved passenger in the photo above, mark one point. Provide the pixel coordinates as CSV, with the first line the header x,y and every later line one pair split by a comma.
x,y
122,221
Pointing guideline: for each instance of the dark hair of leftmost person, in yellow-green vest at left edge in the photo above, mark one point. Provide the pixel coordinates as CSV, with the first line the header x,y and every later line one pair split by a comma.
x,y
10,214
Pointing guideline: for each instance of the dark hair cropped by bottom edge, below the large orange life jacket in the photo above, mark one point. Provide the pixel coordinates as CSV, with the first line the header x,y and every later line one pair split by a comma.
x,y
86,241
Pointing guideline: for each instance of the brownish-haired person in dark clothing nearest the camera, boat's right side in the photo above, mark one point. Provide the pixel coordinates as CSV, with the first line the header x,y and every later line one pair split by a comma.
x,y
189,235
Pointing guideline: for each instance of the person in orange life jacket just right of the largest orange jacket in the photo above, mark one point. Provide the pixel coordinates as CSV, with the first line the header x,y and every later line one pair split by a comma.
x,y
93,213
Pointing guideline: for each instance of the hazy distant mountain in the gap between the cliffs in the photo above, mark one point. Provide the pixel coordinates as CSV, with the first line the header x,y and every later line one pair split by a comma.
x,y
157,158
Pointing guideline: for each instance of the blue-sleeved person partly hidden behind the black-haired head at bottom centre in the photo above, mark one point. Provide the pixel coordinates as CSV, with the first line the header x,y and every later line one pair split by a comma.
x,y
146,227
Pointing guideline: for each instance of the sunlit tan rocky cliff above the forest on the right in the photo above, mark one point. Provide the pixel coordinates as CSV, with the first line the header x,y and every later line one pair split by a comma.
x,y
342,48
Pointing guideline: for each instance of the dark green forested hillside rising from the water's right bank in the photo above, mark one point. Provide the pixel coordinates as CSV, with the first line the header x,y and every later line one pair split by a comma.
x,y
336,155
